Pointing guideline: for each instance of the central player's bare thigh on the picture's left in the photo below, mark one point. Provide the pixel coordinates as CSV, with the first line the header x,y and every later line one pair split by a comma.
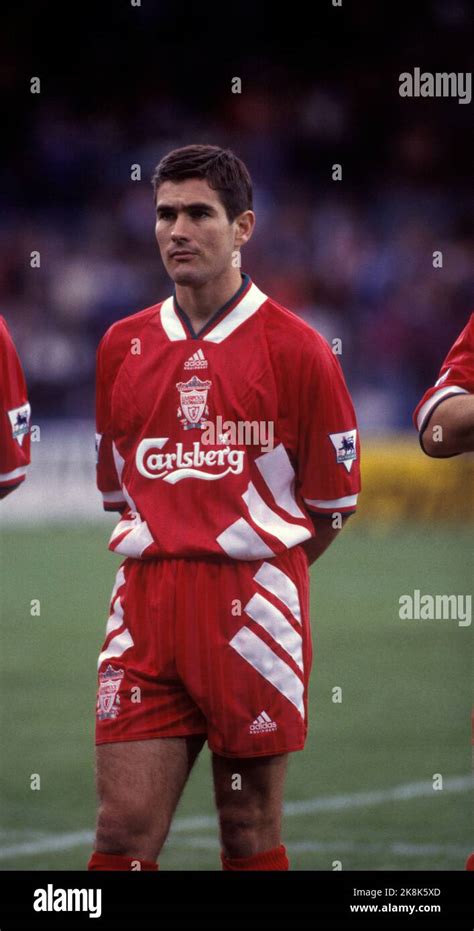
x,y
139,784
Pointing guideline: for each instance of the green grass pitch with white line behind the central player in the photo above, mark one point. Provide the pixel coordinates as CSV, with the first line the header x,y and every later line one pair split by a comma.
x,y
404,714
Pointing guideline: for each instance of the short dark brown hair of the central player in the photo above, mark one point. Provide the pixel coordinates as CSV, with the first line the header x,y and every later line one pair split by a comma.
x,y
223,171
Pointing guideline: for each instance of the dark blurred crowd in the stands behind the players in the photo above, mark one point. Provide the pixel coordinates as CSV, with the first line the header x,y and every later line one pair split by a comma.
x,y
353,257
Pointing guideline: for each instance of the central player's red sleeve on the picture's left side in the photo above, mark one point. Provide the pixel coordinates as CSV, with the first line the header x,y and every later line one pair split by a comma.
x,y
108,460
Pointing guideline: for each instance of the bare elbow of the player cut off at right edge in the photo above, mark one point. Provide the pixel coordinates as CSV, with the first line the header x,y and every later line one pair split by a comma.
x,y
450,429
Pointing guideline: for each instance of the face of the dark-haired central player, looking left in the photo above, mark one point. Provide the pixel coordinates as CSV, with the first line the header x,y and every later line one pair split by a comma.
x,y
190,219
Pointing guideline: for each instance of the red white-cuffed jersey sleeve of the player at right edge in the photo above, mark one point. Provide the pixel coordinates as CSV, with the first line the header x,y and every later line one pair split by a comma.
x,y
456,377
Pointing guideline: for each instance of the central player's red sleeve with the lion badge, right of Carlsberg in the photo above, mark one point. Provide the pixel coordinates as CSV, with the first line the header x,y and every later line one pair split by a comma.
x,y
328,443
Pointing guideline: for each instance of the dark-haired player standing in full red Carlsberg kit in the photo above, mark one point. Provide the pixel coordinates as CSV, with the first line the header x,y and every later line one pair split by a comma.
x,y
208,636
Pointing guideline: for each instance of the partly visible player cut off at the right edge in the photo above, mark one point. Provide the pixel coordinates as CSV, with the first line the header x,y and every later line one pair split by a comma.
x,y
444,417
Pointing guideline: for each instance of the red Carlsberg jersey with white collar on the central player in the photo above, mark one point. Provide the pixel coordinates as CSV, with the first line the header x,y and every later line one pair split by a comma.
x,y
222,443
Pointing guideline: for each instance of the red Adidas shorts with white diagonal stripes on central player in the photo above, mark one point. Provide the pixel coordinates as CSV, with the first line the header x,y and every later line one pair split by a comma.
x,y
206,646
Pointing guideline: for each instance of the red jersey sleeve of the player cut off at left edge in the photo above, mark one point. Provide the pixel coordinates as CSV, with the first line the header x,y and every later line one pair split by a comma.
x,y
15,414
